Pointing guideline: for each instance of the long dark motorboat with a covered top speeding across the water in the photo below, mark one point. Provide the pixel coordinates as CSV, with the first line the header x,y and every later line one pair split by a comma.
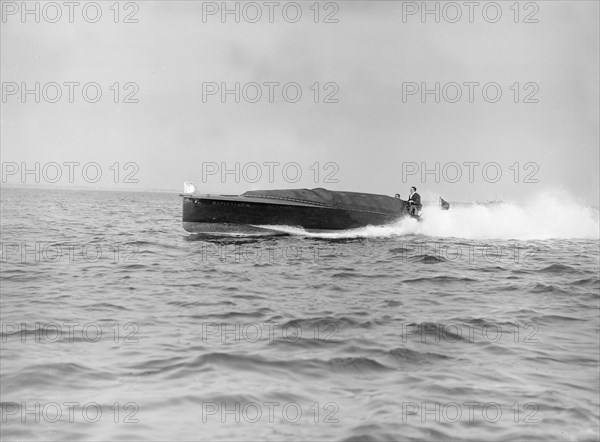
x,y
254,214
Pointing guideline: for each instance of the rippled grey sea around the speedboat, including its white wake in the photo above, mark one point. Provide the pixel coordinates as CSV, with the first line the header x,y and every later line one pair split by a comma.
x,y
117,324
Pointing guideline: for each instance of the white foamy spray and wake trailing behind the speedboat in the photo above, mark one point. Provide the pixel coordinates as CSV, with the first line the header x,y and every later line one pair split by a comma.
x,y
545,217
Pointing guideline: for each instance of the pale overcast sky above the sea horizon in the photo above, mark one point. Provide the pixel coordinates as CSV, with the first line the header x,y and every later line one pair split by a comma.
x,y
371,134
